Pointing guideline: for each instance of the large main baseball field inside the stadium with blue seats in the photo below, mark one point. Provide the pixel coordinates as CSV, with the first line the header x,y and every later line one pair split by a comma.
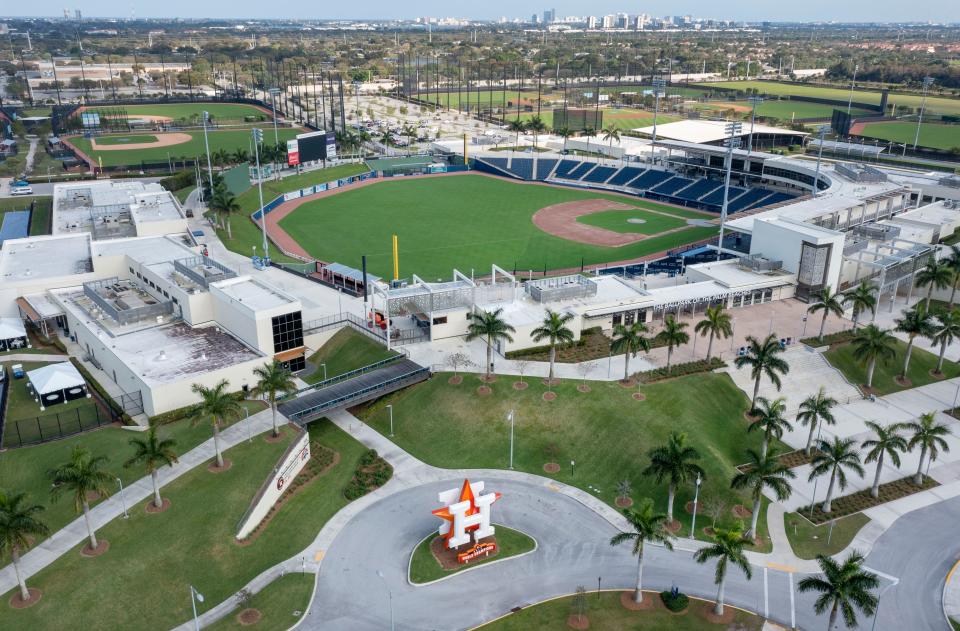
x,y
470,221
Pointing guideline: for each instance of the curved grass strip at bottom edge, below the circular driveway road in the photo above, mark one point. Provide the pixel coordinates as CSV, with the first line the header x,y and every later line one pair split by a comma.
x,y
605,612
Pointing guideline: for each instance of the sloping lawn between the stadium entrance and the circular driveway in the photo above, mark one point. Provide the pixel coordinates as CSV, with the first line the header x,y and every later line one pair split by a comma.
x,y
606,432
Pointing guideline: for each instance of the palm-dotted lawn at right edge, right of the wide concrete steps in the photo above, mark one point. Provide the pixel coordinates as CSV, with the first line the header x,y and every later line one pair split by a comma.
x,y
921,363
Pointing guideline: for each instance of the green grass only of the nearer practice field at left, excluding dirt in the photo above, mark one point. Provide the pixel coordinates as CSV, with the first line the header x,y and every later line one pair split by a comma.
x,y
227,140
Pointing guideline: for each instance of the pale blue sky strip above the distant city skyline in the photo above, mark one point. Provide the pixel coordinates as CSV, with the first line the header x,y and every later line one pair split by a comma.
x,y
805,10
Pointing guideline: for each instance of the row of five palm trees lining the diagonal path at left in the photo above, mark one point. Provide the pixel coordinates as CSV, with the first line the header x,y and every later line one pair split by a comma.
x,y
84,475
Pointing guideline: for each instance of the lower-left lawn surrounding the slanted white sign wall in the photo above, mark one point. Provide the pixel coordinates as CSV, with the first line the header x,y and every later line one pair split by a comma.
x,y
141,582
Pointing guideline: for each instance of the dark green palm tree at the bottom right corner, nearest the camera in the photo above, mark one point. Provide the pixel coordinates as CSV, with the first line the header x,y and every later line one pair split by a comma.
x,y
844,588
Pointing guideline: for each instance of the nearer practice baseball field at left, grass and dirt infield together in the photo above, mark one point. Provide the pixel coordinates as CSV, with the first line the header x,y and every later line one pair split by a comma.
x,y
134,148
